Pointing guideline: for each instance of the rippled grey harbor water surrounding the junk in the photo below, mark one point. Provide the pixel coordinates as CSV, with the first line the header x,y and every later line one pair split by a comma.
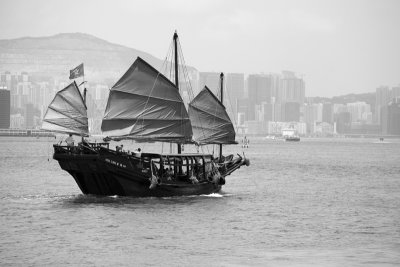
x,y
317,202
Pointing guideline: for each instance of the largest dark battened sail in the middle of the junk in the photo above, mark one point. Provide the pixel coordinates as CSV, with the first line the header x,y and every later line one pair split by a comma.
x,y
144,105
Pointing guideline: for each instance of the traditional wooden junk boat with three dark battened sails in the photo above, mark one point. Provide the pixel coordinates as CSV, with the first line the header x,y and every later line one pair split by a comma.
x,y
145,106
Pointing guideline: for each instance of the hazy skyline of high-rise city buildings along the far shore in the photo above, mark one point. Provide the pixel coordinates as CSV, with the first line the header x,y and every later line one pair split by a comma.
x,y
258,104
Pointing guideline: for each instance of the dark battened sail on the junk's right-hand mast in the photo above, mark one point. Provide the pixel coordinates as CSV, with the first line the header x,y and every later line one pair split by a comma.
x,y
211,124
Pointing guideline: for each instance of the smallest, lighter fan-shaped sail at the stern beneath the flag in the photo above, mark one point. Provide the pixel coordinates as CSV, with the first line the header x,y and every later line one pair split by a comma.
x,y
67,112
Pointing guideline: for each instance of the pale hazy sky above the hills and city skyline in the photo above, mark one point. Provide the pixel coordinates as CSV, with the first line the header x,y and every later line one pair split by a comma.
x,y
339,46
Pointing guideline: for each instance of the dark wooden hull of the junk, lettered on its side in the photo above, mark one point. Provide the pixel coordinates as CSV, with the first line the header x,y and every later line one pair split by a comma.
x,y
108,174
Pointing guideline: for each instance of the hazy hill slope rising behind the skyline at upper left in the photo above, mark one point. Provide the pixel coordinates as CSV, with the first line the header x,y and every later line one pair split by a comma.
x,y
56,55
